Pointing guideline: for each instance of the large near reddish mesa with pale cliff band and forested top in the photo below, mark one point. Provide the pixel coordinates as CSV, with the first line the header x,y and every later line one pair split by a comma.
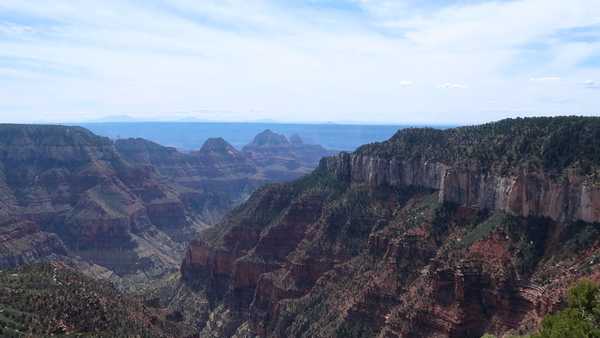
x,y
431,234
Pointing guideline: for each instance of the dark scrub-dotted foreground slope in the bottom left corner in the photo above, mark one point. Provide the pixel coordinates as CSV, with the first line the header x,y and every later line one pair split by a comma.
x,y
52,300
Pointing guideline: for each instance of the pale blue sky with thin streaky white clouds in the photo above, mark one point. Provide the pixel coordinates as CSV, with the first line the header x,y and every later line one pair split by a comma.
x,y
367,61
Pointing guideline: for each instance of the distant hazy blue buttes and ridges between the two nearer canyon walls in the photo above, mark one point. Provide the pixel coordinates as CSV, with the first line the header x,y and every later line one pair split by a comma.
x,y
218,177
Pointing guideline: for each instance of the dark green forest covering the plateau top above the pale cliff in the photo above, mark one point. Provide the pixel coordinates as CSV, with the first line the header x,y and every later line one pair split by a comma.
x,y
553,144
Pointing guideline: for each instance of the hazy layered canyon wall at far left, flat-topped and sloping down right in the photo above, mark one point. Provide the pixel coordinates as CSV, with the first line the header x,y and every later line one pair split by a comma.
x,y
75,197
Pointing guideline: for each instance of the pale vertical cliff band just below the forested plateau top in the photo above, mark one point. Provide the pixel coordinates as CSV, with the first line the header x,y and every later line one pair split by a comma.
x,y
526,193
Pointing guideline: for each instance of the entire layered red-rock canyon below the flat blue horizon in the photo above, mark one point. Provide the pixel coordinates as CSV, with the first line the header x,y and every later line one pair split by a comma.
x,y
432,233
